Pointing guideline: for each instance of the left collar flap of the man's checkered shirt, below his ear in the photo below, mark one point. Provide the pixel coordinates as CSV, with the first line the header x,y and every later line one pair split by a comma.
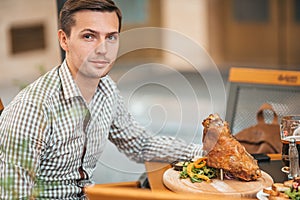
x,y
70,89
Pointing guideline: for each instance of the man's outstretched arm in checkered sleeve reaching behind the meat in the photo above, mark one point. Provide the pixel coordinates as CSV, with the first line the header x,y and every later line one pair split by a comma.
x,y
139,145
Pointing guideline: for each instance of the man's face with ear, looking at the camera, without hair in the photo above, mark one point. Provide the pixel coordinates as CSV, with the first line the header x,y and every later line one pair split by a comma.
x,y
93,44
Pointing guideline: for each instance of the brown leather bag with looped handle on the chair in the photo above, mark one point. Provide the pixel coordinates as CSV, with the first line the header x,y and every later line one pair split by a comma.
x,y
262,137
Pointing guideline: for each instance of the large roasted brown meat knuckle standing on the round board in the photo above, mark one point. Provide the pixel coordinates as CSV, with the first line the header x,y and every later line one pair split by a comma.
x,y
225,152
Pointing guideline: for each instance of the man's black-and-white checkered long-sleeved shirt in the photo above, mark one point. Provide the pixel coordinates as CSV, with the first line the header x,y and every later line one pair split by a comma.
x,y
43,135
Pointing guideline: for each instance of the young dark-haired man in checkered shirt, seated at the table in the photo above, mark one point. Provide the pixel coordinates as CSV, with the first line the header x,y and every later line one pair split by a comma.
x,y
53,133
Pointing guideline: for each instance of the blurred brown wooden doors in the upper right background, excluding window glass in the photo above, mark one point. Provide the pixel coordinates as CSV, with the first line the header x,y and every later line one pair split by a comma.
x,y
272,42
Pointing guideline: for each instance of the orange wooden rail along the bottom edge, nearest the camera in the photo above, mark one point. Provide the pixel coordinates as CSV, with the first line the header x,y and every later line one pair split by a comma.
x,y
122,193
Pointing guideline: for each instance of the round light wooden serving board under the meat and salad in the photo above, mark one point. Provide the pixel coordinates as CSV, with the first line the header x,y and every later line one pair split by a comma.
x,y
227,187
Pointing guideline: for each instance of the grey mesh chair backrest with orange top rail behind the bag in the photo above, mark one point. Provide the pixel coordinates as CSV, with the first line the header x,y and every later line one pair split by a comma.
x,y
249,88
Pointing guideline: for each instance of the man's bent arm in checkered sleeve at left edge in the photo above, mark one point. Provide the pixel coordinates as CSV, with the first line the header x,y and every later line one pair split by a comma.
x,y
21,128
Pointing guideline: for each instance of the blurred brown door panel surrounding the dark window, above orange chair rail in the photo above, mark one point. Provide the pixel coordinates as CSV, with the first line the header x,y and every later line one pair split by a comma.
x,y
252,42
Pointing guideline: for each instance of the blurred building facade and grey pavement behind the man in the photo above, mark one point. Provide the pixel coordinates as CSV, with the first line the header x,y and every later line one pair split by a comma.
x,y
163,90
